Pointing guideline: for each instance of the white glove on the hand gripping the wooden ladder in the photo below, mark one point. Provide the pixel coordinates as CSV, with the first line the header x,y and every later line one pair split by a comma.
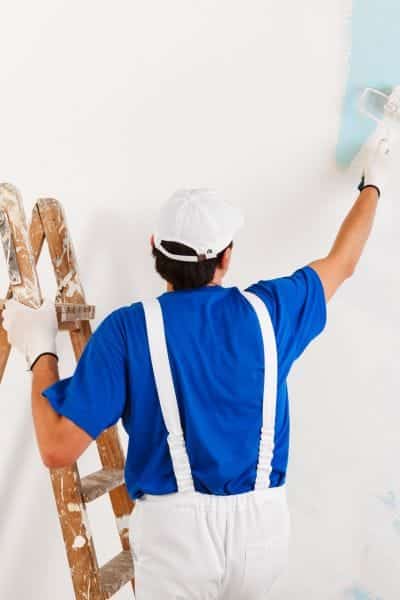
x,y
31,330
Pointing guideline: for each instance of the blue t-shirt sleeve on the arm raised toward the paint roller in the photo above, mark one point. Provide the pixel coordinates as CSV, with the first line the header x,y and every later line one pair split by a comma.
x,y
298,309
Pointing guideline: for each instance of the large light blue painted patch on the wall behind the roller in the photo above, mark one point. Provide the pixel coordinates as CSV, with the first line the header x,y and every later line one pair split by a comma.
x,y
374,62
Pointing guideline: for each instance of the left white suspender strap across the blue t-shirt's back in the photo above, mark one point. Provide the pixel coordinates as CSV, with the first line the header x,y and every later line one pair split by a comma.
x,y
166,394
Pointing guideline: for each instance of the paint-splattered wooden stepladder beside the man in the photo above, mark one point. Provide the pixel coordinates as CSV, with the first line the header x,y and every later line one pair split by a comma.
x,y
22,248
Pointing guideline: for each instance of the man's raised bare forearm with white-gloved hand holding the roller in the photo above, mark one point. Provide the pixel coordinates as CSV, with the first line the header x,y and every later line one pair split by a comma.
x,y
349,244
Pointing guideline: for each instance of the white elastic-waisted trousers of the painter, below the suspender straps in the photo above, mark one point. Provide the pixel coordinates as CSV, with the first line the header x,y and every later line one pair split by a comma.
x,y
194,546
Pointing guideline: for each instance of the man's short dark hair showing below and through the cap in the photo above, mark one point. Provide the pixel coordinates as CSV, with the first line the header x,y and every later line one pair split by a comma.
x,y
185,275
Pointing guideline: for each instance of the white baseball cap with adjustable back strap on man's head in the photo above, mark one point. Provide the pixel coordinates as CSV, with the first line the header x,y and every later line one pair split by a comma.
x,y
199,219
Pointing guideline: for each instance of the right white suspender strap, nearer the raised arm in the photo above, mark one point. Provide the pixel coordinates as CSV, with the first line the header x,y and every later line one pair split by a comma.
x,y
266,449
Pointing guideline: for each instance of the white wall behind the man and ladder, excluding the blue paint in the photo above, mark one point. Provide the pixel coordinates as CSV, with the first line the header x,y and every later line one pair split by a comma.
x,y
112,106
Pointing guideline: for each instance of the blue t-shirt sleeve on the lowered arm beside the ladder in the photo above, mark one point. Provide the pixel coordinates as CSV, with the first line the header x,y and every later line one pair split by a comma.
x,y
94,396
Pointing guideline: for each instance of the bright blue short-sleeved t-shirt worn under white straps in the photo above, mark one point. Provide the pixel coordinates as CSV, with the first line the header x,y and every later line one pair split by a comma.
x,y
217,360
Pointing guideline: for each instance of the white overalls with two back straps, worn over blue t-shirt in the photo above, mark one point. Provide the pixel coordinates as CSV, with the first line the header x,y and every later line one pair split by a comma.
x,y
194,546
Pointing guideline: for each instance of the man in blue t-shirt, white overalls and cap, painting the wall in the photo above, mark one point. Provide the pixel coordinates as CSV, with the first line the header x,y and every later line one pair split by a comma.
x,y
198,377
